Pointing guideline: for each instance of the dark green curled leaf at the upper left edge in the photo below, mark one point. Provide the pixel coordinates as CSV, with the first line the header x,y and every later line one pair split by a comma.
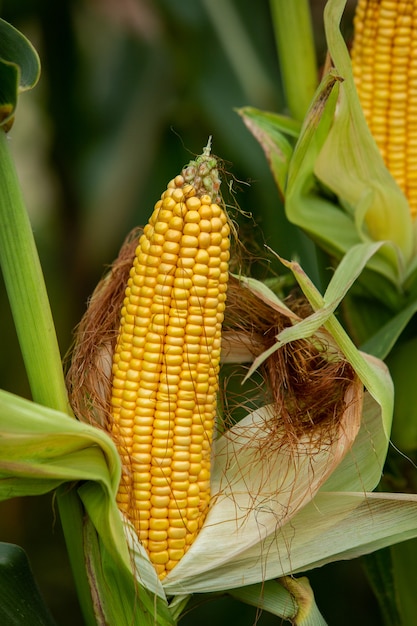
x,y
19,70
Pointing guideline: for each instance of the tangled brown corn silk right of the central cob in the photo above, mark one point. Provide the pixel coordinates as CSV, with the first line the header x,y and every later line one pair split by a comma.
x,y
308,381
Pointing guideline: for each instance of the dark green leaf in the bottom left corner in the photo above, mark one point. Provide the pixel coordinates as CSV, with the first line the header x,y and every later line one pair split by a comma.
x,y
20,600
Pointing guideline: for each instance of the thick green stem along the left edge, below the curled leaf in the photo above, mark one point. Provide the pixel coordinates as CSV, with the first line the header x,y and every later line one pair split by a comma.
x,y
27,292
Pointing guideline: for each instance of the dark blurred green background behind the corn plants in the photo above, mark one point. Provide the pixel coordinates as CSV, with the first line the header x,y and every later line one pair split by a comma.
x,y
129,92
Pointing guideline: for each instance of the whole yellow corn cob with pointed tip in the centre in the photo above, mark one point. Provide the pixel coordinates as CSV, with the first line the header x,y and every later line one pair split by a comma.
x,y
166,364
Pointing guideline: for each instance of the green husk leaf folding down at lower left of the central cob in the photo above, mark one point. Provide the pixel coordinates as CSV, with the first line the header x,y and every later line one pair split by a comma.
x,y
42,449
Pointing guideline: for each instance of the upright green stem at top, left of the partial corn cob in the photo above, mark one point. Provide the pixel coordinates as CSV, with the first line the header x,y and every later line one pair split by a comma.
x,y
296,53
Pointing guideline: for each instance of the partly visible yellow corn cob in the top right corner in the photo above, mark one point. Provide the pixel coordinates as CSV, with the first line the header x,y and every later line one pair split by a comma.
x,y
384,60
